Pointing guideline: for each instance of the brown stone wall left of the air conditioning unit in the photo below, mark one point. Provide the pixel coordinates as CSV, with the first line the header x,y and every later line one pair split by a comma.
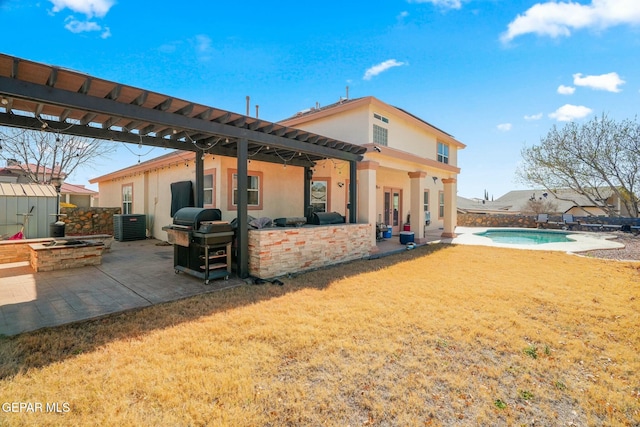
x,y
86,221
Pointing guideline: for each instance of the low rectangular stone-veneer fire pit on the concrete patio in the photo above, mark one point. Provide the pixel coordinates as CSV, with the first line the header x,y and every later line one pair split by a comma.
x,y
60,257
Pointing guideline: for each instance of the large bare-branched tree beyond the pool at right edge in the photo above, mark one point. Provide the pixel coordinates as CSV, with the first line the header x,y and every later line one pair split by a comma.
x,y
597,159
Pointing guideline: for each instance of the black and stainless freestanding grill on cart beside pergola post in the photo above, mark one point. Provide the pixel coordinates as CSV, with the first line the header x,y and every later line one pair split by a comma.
x,y
201,243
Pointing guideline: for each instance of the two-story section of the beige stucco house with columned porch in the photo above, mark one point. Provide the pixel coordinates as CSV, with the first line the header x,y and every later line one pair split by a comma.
x,y
410,168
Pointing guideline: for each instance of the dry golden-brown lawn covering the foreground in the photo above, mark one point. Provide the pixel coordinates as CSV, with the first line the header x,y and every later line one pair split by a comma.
x,y
436,336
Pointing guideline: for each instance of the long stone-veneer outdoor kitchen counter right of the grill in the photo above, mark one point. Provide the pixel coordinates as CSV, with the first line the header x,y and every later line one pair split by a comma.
x,y
277,251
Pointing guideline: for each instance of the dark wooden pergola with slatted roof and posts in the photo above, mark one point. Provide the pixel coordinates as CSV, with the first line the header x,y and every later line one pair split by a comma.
x,y
51,98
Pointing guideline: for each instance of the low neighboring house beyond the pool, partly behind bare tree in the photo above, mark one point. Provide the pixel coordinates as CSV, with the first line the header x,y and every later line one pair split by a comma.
x,y
565,201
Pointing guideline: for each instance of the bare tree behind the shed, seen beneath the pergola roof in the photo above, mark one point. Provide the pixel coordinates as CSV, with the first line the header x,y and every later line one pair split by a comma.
x,y
45,155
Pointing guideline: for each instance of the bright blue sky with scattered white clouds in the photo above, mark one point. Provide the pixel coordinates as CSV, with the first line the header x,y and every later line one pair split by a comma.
x,y
495,74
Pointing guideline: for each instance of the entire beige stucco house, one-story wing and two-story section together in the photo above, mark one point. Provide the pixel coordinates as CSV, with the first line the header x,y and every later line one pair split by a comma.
x,y
410,167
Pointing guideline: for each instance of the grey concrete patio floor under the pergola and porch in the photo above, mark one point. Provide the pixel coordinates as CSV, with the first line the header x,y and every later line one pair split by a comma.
x,y
132,275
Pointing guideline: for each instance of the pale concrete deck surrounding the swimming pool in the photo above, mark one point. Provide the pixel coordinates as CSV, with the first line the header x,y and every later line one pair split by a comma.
x,y
583,241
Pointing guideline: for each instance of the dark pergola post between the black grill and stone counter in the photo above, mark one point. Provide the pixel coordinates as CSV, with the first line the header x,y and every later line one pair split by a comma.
x,y
242,232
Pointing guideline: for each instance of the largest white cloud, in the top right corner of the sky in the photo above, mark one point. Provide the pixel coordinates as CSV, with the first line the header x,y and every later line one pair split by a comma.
x,y
555,19
